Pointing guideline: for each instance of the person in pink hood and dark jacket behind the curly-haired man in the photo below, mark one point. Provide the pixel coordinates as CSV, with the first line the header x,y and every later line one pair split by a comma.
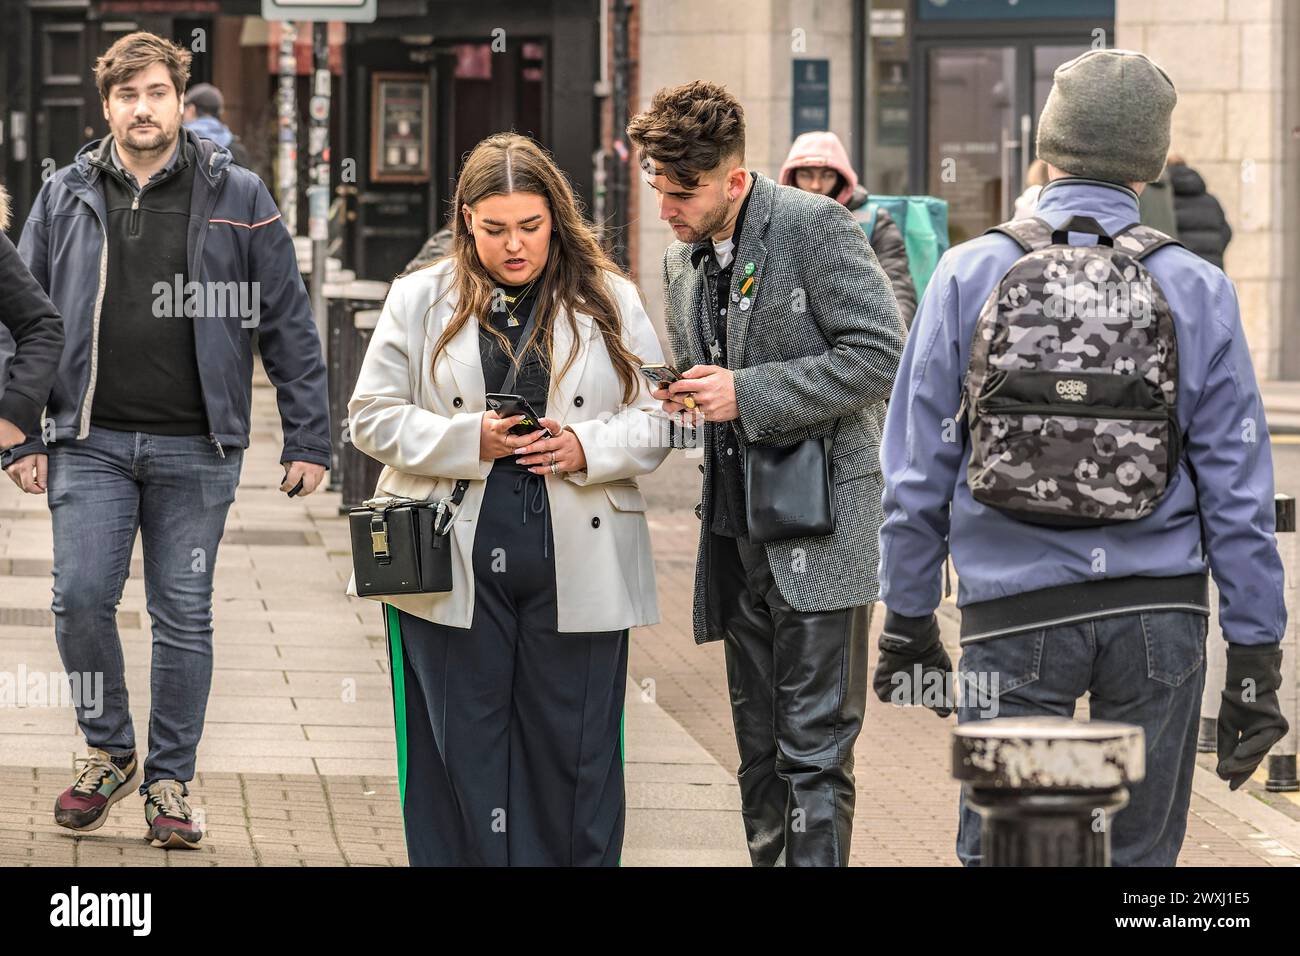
x,y
818,163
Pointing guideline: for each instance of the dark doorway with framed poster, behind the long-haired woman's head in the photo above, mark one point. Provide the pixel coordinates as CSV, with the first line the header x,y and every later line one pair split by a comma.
x,y
536,77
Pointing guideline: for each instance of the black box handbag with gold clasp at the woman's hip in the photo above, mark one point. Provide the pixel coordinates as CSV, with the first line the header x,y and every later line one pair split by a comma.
x,y
402,546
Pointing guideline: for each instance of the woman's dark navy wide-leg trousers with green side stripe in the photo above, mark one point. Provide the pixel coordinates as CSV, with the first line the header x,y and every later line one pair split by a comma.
x,y
510,733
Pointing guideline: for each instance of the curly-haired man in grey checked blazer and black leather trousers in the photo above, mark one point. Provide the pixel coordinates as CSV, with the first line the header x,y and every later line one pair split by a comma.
x,y
785,328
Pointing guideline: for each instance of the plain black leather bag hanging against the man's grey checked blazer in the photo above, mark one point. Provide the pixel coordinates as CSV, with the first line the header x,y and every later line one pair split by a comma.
x,y
790,491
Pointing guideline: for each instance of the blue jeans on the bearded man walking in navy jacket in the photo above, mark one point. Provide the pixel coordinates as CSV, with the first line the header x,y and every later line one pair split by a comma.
x,y
176,491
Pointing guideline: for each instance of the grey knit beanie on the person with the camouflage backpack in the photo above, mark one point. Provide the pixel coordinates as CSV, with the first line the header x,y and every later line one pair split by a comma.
x,y
1108,118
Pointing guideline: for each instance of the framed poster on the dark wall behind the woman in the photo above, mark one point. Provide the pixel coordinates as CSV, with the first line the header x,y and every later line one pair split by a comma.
x,y
400,128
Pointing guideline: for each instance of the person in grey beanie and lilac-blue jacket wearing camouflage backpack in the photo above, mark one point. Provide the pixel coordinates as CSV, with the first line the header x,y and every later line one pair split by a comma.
x,y
1117,611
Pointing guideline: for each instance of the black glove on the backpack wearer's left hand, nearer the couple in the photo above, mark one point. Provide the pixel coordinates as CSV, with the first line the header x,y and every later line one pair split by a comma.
x,y
913,667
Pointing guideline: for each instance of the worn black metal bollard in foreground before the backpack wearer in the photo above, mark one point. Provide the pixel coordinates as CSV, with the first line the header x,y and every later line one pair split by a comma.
x,y
1047,788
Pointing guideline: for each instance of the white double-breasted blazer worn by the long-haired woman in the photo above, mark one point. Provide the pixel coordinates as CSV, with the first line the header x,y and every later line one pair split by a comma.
x,y
424,426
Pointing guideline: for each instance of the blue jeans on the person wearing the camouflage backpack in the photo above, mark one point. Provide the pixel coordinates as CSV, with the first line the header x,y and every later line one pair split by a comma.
x,y
1142,669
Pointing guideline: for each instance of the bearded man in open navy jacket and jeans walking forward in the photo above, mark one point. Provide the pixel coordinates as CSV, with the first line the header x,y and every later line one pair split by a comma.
x,y
164,259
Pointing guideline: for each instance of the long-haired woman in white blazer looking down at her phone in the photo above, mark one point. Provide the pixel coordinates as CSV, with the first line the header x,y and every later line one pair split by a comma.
x,y
509,689
